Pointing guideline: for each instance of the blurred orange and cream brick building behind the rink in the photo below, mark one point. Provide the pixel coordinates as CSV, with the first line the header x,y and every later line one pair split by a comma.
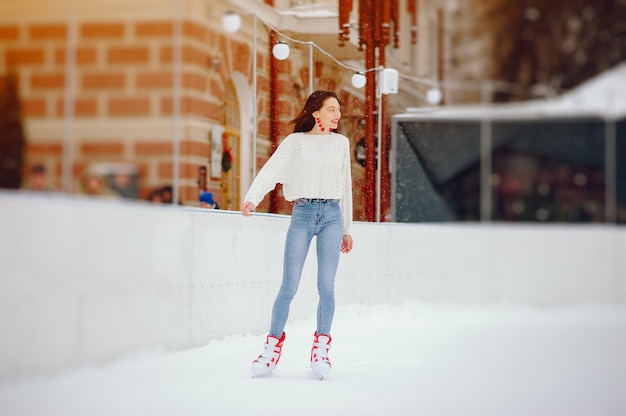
x,y
161,86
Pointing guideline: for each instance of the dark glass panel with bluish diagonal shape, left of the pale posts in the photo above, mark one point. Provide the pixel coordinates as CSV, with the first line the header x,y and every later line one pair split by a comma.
x,y
437,174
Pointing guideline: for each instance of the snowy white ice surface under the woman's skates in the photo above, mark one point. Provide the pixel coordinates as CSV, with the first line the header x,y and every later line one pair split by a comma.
x,y
408,359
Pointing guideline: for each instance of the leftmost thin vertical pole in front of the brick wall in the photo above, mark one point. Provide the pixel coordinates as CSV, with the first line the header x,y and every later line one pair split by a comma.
x,y
69,97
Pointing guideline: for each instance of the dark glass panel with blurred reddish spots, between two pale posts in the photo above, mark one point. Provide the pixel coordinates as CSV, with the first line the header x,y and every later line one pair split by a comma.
x,y
548,170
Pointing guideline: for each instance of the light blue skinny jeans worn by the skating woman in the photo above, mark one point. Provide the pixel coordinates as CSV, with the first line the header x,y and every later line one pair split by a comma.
x,y
310,218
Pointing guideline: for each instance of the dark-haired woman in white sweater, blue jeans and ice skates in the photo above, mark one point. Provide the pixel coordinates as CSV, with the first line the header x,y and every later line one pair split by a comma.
x,y
313,165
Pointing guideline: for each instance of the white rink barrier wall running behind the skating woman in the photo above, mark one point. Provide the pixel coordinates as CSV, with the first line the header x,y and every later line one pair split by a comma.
x,y
86,281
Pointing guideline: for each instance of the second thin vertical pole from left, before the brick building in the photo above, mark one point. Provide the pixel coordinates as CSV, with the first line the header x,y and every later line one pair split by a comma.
x,y
176,98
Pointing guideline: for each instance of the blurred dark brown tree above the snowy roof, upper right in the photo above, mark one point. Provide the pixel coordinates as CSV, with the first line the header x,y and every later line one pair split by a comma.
x,y
552,43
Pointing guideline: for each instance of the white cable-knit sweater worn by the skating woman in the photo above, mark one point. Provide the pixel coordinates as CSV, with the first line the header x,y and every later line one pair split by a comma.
x,y
309,166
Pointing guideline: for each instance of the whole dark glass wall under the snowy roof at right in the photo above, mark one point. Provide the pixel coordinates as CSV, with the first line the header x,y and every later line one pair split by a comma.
x,y
570,170
